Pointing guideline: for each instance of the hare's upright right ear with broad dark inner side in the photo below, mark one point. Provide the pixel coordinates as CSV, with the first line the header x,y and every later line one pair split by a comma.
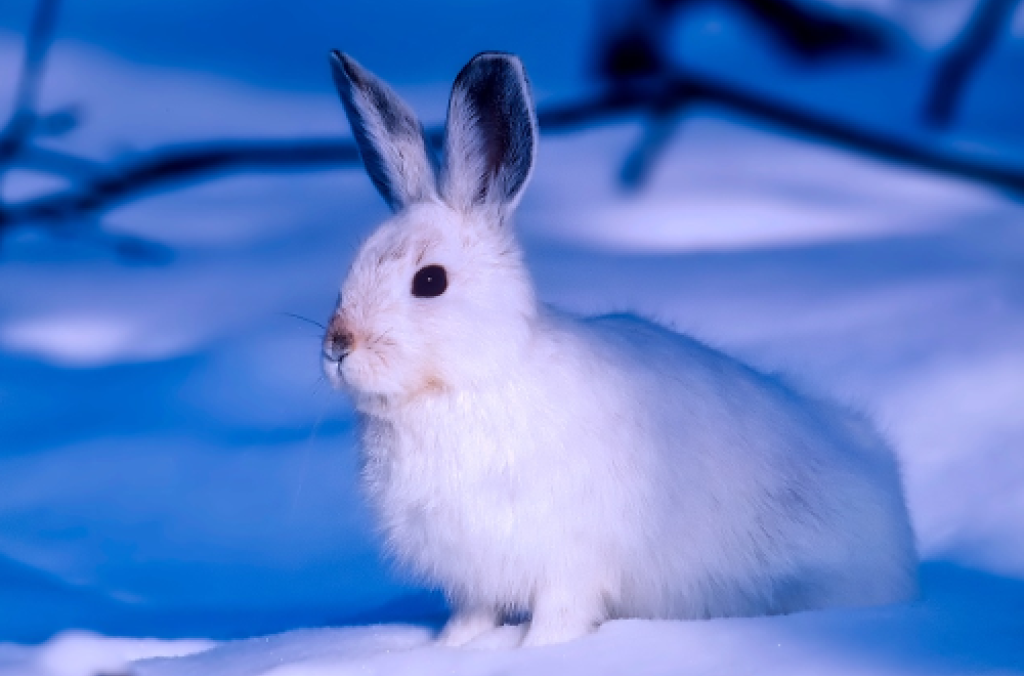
x,y
491,137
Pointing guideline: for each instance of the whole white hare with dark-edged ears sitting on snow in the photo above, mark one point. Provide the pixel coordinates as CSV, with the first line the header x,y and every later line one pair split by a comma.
x,y
575,471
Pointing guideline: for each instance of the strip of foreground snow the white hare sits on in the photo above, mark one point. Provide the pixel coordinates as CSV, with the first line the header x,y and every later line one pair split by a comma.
x,y
953,632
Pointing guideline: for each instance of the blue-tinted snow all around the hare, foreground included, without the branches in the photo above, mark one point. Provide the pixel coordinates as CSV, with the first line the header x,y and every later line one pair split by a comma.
x,y
174,467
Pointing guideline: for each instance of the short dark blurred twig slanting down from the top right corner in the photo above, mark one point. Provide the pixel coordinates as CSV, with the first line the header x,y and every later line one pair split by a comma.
x,y
963,60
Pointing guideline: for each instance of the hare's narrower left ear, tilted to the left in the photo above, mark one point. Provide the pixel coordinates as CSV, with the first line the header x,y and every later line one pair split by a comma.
x,y
389,135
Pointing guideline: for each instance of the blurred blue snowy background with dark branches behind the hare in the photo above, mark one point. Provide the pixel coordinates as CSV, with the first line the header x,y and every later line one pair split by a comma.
x,y
830,188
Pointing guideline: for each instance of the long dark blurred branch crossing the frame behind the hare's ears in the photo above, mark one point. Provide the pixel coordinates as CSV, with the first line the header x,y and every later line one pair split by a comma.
x,y
184,164
